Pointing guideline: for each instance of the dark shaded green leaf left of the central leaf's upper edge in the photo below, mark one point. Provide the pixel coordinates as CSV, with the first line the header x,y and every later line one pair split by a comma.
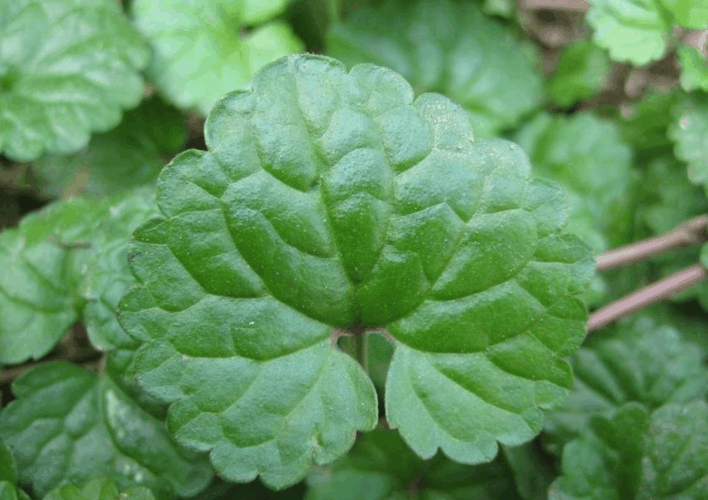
x,y
126,157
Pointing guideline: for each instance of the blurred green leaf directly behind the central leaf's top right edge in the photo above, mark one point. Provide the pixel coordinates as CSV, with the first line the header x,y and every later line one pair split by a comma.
x,y
446,47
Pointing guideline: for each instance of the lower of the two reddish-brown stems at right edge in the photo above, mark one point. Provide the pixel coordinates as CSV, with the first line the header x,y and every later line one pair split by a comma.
x,y
647,296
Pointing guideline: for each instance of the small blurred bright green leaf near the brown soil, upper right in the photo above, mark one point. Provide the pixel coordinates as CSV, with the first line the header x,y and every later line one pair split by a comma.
x,y
581,72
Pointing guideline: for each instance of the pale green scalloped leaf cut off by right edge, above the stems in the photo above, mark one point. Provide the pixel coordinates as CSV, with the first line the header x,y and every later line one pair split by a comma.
x,y
689,131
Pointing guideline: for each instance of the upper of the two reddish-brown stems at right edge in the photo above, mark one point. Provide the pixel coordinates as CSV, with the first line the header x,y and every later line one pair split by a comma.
x,y
690,233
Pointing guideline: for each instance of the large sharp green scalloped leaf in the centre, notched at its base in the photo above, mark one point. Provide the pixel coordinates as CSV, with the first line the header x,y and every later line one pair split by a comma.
x,y
331,200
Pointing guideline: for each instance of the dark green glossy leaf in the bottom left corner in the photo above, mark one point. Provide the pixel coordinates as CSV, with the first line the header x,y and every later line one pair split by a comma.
x,y
69,425
